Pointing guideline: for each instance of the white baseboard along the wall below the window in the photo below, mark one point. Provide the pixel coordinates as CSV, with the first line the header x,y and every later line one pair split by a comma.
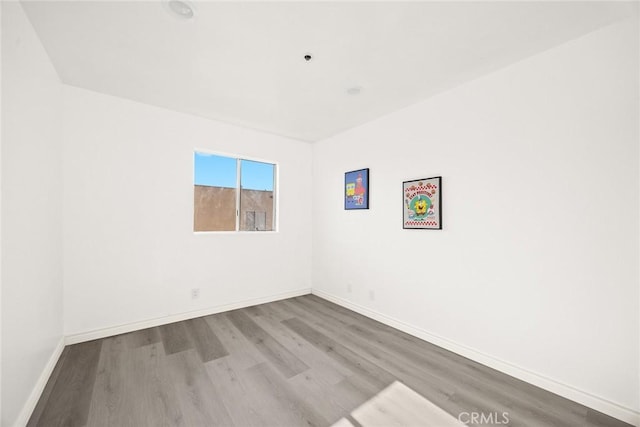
x,y
130,327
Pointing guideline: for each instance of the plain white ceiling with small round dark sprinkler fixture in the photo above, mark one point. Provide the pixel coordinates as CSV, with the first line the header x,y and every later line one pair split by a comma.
x,y
243,62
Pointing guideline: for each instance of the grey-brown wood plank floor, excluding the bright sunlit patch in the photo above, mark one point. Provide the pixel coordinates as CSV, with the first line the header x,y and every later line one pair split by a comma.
x,y
301,361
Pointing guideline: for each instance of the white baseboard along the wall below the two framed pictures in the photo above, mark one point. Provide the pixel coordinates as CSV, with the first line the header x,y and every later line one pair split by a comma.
x,y
595,402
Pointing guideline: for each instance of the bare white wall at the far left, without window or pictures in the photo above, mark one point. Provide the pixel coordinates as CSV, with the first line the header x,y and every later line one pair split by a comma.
x,y
31,211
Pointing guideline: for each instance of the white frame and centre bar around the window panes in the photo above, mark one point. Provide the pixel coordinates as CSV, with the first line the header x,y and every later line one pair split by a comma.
x,y
238,158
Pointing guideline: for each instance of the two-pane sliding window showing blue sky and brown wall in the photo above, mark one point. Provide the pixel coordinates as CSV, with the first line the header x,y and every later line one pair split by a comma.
x,y
232,194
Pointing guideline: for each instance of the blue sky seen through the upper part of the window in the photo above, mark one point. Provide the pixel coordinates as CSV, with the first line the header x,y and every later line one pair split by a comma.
x,y
219,171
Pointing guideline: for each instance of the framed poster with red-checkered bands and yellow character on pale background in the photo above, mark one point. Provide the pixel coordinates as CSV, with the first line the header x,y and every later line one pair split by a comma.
x,y
422,204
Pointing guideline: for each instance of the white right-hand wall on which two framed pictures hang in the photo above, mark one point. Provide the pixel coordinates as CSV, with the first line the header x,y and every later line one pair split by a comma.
x,y
537,264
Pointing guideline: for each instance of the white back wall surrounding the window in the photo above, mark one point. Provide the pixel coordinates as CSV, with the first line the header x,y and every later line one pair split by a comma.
x,y
129,250
